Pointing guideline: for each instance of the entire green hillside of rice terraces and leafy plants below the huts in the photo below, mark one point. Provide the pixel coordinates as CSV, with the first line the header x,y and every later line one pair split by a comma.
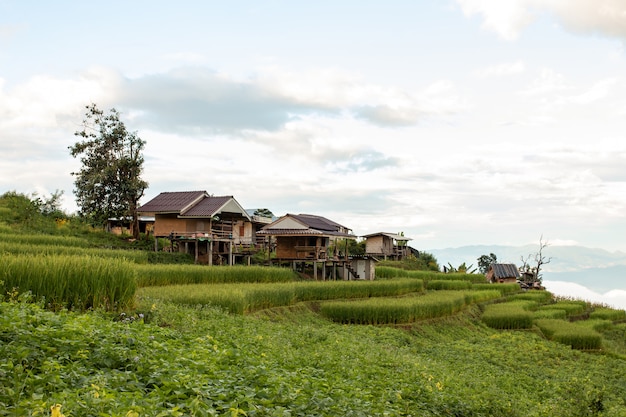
x,y
101,331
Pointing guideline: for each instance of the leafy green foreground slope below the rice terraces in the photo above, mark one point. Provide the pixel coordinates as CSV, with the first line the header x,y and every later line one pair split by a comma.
x,y
201,361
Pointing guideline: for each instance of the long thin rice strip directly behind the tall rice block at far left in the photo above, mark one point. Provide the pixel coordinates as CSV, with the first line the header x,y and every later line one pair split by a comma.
x,y
136,256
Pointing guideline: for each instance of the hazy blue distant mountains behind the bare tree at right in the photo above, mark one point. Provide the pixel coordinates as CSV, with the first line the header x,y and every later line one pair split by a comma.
x,y
596,269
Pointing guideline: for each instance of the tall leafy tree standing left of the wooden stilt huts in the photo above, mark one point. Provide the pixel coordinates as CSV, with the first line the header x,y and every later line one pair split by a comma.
x,y
109,184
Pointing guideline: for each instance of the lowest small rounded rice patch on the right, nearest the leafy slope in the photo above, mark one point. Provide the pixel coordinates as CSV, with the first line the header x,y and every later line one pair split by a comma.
x,y
565,332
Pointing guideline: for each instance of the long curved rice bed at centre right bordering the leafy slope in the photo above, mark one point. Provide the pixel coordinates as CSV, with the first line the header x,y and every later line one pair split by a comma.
x,y
394,310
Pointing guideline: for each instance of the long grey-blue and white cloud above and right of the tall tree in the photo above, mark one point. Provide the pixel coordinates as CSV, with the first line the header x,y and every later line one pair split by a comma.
x,y
197,100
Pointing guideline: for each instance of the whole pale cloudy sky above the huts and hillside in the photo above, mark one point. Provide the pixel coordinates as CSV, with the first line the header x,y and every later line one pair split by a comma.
x,y
456,122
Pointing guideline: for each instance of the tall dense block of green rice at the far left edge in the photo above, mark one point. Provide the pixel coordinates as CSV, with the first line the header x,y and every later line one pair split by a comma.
x,y
71,282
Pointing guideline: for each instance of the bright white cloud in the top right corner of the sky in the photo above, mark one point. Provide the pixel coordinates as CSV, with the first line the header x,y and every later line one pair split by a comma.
x,y
509,18
